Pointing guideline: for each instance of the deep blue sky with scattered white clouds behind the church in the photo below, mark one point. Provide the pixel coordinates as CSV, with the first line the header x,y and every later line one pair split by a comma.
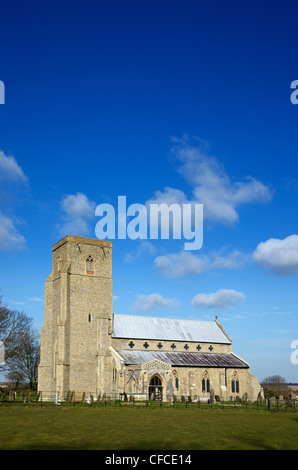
x,y
158,101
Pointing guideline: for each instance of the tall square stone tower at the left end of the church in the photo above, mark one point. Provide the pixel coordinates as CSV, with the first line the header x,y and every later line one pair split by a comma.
x,y
77,327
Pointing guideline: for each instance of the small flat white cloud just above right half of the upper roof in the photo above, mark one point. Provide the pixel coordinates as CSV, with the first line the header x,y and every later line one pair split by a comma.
x,y
221,299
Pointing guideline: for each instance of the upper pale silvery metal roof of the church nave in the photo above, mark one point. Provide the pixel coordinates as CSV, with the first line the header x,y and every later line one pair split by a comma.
x,y
139,327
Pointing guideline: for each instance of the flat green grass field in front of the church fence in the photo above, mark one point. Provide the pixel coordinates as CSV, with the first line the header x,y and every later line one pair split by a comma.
x,y
120,428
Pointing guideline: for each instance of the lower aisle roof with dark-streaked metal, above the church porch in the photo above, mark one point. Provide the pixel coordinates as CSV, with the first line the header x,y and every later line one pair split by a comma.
x,y
182,358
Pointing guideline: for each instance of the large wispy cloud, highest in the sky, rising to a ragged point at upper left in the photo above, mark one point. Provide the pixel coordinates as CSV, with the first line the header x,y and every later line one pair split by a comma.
x,y
211,186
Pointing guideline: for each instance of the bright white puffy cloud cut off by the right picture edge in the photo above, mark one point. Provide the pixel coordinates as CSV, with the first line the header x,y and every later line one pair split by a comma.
x,y
279,255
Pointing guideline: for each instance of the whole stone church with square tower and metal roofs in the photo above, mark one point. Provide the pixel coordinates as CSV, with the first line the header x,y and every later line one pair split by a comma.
x,y
87,350
